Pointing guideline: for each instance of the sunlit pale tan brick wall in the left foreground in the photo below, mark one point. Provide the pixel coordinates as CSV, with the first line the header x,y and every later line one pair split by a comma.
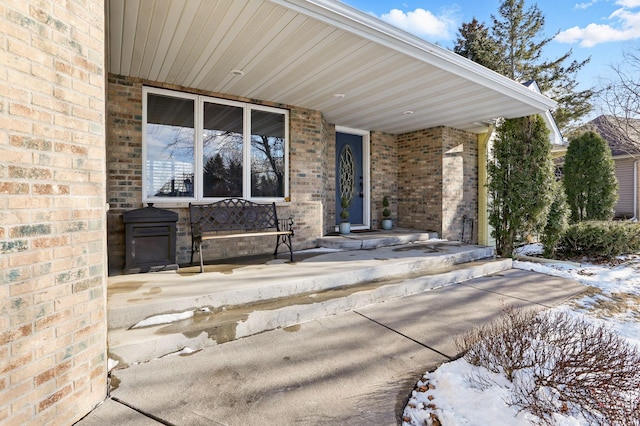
x,y
52,211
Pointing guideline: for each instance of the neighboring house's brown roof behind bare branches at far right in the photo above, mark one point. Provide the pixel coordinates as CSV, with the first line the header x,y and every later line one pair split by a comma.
x,y
619,141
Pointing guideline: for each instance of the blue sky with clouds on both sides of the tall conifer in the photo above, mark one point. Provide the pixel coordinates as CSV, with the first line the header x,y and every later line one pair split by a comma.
x,y
600,29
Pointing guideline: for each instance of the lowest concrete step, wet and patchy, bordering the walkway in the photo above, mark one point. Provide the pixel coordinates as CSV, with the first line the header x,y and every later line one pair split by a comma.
x,y
204,326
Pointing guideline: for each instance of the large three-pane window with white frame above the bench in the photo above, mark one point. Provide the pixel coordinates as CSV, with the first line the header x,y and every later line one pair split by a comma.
x,y
197,148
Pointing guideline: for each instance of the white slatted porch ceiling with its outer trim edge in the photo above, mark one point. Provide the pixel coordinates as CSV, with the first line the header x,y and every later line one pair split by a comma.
x,y
303,52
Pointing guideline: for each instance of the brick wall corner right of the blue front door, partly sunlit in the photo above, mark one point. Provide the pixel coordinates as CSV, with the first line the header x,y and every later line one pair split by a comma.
x,y
438,180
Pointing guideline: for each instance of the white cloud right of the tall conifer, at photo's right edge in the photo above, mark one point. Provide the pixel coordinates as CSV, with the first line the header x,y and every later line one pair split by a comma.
x,y
625,25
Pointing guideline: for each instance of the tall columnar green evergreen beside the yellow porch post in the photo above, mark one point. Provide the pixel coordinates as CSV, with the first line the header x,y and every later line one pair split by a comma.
x,y
520,181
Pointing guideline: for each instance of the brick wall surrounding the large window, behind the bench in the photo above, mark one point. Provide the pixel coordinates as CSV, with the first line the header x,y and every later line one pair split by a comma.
x,y
310,184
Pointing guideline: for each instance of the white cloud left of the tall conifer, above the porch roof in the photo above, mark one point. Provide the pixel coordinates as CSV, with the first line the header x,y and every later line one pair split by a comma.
x,y
424,23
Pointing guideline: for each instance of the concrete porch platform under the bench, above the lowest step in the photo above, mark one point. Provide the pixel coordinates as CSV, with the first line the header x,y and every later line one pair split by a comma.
x,y
132,298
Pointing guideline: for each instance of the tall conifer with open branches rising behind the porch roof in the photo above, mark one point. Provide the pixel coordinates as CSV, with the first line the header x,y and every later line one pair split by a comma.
x,y
517,41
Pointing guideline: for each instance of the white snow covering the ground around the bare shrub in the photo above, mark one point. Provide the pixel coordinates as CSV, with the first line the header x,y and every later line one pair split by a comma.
x,y
612,296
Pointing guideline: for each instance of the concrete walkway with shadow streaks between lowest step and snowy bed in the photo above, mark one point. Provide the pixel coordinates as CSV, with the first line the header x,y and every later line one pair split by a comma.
x,y
354,368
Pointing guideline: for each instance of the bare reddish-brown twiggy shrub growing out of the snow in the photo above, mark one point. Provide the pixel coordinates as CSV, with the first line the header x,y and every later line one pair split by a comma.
x,y
559,364
